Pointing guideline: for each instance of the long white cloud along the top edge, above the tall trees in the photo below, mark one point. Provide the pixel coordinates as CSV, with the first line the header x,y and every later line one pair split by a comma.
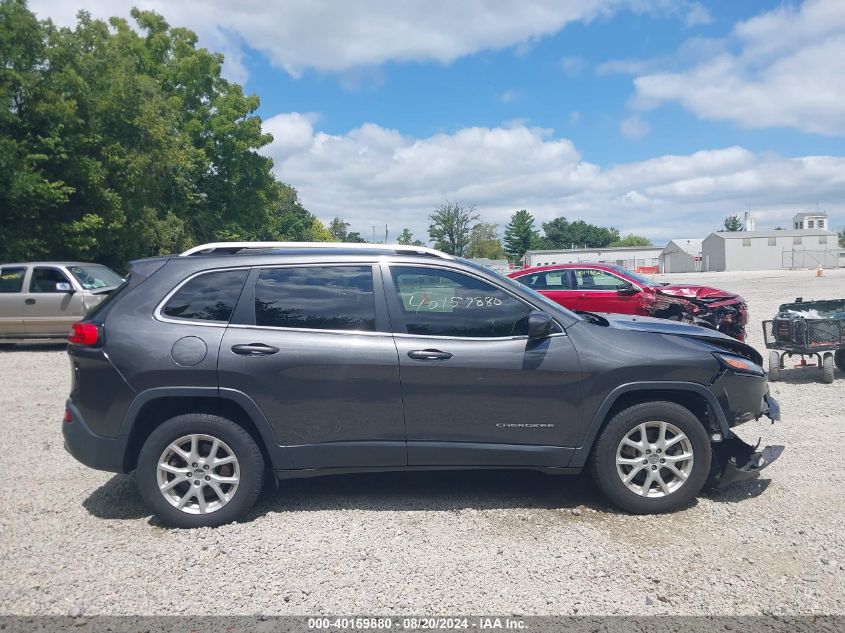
x,y
338,36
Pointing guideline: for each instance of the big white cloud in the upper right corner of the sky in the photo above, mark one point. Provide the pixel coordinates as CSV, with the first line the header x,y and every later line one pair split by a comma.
x,y
789,71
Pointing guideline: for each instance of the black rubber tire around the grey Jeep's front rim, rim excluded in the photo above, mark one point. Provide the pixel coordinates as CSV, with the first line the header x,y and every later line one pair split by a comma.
x,y
603,458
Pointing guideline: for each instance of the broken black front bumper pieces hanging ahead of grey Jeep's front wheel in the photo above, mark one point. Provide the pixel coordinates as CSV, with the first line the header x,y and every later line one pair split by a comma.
x,y
735,461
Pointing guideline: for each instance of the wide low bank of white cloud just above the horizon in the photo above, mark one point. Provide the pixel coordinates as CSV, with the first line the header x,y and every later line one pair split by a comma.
x,y
372,175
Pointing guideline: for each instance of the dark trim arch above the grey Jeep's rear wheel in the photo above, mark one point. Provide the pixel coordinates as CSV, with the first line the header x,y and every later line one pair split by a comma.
x,y
153,407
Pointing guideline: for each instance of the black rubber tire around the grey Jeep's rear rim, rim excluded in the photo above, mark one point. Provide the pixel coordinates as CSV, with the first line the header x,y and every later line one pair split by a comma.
x,y
250,465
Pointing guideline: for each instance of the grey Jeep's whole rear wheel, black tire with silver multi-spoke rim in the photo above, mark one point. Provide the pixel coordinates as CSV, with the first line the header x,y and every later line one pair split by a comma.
x,y
200,470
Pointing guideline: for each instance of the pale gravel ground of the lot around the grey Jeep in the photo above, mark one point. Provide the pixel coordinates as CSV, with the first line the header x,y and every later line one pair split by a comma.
x,y
76,540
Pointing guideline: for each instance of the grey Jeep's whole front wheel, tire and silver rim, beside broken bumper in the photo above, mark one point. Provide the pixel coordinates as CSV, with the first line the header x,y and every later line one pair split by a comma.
x,y
651,458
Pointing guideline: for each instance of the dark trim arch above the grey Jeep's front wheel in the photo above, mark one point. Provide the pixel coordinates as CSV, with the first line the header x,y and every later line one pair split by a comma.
x,y
692,396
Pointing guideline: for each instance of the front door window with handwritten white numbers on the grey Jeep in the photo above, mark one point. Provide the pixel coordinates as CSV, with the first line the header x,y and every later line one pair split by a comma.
x,y
438,302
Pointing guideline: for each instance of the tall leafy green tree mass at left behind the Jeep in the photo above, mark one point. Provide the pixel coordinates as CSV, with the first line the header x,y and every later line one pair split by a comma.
x,y
121,141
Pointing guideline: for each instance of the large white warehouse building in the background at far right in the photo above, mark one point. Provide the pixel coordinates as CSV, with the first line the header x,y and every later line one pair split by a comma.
x,y
770,250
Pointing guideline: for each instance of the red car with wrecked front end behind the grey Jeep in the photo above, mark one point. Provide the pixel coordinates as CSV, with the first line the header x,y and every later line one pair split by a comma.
x,y
609,288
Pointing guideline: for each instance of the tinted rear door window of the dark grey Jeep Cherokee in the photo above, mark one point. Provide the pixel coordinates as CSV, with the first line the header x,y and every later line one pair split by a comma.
x,y
317,298
